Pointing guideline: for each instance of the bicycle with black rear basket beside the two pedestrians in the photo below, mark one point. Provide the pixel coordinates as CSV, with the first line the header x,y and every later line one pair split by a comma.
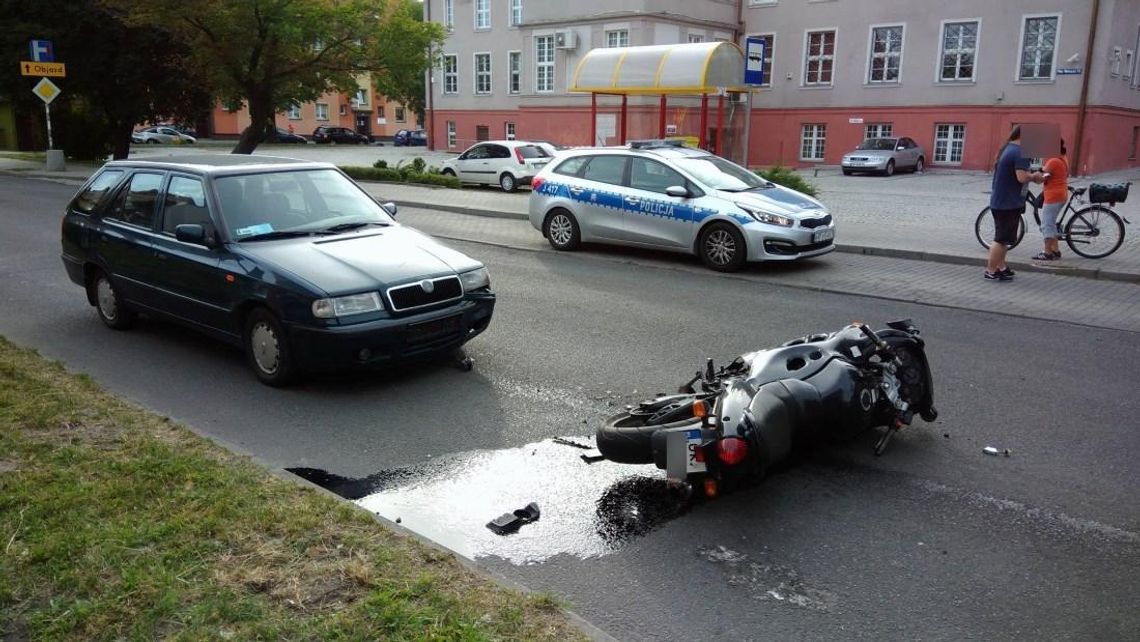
x,y
1093,232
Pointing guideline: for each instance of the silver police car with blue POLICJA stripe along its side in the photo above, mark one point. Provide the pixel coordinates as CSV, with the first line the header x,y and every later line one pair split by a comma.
x,y
677,199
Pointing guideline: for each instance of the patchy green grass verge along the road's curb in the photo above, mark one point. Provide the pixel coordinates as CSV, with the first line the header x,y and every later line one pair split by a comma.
x,y
117,524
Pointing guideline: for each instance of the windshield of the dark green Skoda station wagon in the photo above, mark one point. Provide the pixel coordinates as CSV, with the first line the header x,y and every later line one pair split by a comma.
x,y
290,204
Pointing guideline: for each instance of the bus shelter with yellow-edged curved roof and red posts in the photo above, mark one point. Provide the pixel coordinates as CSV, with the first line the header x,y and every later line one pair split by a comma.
x,y
696,69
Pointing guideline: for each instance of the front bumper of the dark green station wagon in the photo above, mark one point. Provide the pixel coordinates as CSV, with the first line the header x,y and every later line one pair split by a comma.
x,y
393,339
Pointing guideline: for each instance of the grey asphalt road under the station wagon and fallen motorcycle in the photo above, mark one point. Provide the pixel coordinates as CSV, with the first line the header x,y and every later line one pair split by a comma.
x,y
933,541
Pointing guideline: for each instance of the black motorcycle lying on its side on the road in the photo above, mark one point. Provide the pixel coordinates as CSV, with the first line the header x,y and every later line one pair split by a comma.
x,y
732,426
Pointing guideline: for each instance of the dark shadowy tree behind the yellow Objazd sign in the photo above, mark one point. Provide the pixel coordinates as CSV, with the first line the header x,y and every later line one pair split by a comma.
x,y
118,75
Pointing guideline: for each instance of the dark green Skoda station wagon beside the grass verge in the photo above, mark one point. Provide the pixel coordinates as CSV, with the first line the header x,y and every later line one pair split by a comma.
x,y
290,261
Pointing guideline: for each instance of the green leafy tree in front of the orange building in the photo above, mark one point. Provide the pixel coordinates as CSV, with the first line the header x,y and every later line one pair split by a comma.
x,y
272,54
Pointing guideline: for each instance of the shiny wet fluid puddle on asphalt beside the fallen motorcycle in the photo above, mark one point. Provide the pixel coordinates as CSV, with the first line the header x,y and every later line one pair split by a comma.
x,y
587,509
